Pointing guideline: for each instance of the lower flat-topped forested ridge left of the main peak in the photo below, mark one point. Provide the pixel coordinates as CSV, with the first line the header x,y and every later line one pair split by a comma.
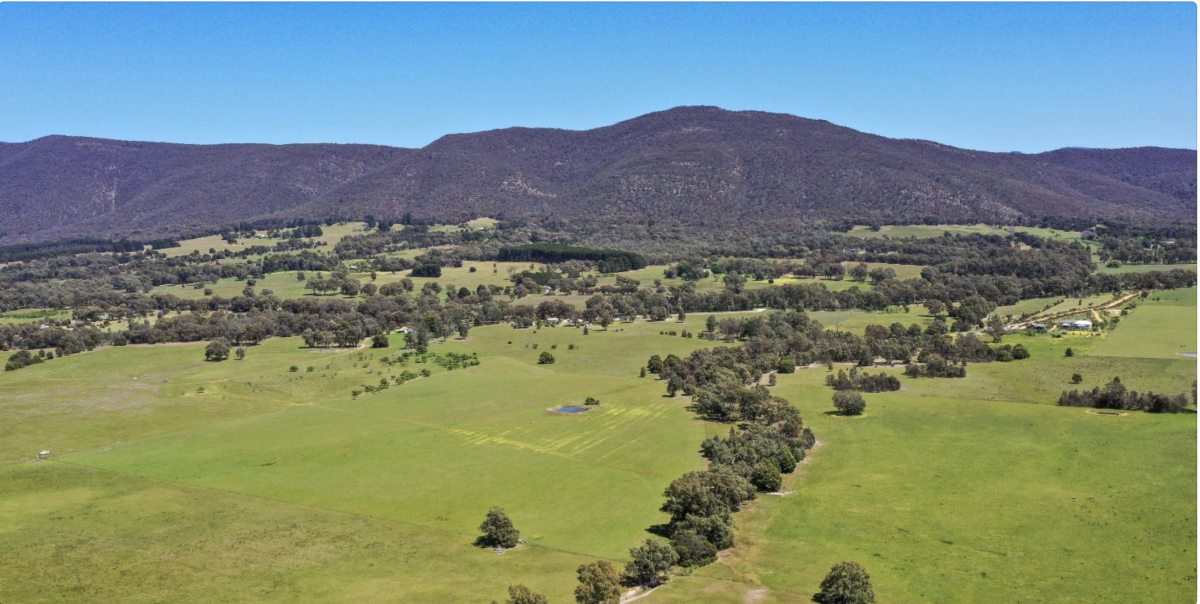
x,y
62,187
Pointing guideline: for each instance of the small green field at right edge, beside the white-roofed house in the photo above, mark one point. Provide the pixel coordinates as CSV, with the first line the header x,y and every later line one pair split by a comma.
x,y
1163,327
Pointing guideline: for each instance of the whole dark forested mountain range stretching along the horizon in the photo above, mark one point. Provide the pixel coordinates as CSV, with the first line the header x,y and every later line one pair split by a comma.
x,y
698,165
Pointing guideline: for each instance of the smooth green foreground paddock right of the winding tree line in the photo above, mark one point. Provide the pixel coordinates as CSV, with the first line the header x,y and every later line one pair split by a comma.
x,y
956,500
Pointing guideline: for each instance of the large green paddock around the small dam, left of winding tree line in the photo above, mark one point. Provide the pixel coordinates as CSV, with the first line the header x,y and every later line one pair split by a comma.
x,y
279,486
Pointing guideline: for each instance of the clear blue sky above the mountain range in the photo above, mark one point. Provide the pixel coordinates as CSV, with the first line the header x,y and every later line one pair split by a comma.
x,y
1025,77
